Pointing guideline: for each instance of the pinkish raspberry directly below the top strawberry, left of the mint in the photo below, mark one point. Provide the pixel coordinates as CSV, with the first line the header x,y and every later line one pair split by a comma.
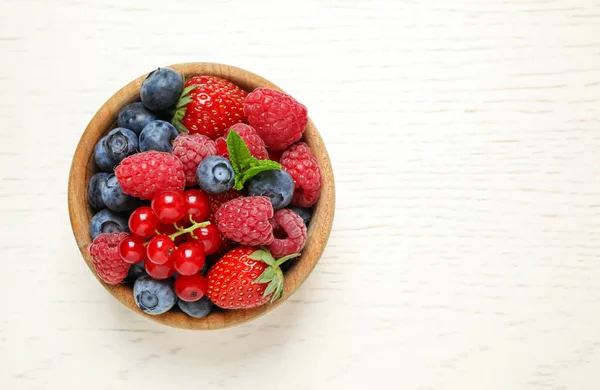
x,y
191,149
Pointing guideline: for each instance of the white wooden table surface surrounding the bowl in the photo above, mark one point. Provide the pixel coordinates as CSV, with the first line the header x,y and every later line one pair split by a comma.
x,y
464,137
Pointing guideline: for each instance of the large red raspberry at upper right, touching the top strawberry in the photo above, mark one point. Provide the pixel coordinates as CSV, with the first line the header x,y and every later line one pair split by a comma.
x,y
278,118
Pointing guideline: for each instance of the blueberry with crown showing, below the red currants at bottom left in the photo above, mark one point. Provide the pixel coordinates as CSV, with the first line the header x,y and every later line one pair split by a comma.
x,y
154,296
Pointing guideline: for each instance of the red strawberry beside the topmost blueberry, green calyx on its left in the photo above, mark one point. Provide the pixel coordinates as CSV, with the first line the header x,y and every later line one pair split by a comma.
x,y
209,105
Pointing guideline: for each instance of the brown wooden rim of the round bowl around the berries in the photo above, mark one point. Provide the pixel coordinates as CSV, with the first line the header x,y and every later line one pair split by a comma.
x,y
83,167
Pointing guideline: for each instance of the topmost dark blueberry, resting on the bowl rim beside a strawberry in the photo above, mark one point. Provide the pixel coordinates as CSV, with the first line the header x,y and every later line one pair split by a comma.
x,y
161,89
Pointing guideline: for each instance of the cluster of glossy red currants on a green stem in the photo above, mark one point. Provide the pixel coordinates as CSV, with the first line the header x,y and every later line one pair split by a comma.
x,y
170,237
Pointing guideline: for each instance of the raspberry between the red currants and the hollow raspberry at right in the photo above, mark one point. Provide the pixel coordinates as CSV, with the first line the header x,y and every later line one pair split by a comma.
x,y
246,220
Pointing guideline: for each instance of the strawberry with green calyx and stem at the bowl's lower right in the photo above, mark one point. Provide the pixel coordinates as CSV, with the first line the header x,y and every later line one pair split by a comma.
x,y
246,277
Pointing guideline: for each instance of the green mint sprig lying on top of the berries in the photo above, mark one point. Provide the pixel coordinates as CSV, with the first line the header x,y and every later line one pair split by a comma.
x,y
244,164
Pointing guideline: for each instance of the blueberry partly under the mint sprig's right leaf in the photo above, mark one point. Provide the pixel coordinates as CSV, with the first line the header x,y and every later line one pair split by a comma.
x,y
275,184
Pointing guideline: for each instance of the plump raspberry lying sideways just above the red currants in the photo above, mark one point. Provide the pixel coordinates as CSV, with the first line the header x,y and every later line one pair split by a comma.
x,y
143,175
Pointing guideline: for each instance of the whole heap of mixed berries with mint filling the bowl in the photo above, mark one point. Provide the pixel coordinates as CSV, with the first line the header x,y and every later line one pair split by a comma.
x,y
201,193
